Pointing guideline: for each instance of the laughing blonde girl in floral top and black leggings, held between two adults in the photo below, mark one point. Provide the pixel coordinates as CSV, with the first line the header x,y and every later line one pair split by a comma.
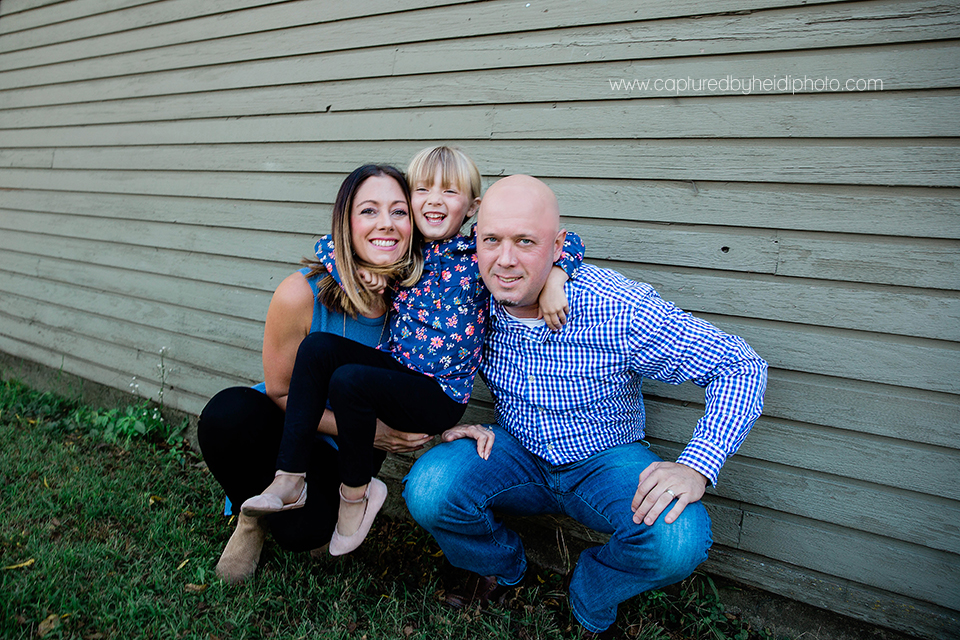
x,y
423,382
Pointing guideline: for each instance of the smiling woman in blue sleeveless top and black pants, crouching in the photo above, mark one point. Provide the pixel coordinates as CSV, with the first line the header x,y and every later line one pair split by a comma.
x,y
240,428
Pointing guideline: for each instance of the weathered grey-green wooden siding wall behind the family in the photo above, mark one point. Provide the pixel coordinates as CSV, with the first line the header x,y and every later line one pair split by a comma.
x,y
164,163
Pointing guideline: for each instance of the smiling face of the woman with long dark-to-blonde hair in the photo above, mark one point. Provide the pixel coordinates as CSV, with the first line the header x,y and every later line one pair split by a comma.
x,y
380,221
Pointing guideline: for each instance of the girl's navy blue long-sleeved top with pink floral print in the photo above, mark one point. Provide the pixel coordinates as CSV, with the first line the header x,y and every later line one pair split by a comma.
x,y
437,325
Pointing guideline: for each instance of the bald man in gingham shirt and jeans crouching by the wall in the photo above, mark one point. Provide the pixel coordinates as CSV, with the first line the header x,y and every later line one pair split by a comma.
x,y
570,421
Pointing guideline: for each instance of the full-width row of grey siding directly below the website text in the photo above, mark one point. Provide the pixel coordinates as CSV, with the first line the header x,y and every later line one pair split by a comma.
x,y
896,114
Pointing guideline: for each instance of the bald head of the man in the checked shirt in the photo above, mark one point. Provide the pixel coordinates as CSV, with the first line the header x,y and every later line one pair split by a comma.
x,y
518,241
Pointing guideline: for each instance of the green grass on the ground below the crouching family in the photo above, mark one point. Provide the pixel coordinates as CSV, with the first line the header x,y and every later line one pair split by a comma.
x,y
110,528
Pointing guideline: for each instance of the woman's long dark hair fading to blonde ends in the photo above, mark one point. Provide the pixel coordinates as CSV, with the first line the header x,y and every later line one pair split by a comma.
x,y
350,296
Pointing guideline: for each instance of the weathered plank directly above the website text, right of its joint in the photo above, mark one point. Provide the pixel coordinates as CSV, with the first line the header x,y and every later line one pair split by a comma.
x,y
824,26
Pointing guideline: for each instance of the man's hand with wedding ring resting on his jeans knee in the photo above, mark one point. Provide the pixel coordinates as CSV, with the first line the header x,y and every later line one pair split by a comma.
x,y
660,484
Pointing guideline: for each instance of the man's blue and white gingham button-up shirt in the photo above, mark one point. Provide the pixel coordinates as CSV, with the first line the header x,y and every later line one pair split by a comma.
x,y
570,394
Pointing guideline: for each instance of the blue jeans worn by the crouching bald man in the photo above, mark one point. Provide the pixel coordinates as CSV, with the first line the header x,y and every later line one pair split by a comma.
x,y
452,493
